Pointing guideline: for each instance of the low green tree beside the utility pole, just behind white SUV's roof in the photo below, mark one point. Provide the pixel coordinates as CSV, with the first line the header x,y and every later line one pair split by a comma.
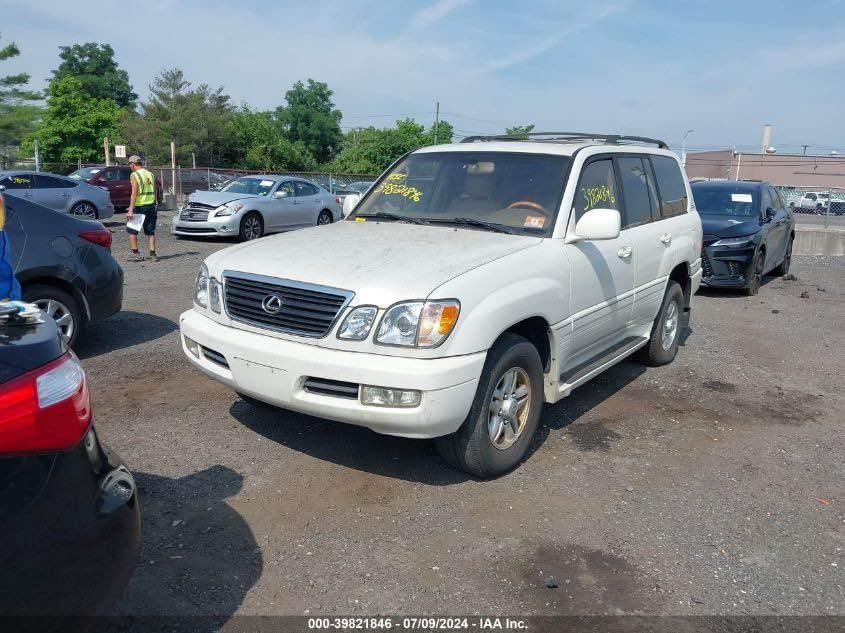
x,y
372,150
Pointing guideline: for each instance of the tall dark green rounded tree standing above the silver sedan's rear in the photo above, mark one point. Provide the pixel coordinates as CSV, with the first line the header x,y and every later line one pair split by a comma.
x,y
311,118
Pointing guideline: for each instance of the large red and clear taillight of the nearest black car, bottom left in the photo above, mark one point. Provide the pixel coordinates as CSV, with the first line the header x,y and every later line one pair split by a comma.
x,y
47,409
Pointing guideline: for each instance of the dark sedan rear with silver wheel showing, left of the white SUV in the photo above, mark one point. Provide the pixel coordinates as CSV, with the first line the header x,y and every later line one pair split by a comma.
x,y
64,265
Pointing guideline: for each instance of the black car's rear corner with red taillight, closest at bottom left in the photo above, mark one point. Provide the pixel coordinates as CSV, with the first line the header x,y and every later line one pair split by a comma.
x,y
71,520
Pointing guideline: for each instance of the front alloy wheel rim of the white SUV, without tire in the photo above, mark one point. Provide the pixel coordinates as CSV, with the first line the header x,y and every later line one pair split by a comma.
x,y
510,406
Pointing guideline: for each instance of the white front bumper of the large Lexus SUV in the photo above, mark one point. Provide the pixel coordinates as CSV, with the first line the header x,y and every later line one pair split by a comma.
x,y
275,371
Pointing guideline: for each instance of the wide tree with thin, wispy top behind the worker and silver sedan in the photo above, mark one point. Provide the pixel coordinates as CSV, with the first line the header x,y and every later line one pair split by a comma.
x,y
197,119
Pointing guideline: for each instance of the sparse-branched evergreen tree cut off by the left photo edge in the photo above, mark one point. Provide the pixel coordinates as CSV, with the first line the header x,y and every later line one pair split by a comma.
x,y
18,108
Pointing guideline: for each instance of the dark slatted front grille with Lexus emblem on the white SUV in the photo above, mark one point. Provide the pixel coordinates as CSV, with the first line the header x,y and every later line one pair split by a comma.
x,y
282,305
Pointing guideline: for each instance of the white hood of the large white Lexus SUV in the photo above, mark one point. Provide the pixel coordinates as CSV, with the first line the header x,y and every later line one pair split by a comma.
x,y
382,262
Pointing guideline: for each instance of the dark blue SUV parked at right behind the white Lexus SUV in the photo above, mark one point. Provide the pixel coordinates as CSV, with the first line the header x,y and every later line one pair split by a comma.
x,y
748,233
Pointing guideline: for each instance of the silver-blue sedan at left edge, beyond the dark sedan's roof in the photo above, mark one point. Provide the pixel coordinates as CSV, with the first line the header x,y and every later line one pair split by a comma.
x,y
58,193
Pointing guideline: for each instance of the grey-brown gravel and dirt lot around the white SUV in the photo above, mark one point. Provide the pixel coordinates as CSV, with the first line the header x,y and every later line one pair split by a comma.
x,y
711,486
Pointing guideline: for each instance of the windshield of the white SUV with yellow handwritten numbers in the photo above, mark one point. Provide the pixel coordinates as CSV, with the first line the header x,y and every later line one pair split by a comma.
x,y
515,190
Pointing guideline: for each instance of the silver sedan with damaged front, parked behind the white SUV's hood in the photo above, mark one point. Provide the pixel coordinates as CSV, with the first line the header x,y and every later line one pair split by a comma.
x,y
249,207
